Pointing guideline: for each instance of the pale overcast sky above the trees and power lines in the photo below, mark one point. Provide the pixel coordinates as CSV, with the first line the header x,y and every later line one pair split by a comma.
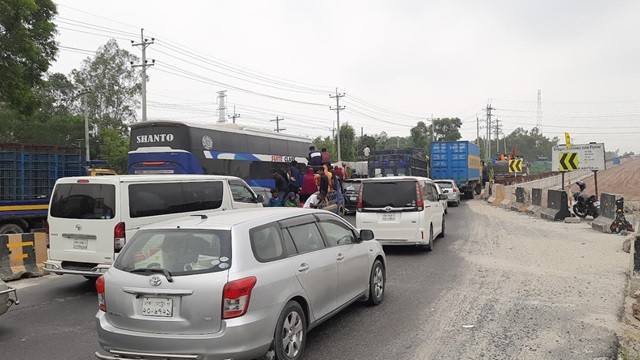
x,y
396,62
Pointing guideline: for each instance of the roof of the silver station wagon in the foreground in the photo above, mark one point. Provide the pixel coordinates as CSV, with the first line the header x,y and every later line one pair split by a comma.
x,y
230,218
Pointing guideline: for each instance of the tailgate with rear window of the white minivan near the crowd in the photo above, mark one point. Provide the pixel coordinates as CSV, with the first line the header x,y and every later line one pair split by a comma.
x,y
391,208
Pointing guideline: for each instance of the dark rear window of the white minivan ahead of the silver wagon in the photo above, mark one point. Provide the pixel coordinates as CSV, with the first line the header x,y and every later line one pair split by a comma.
x,y
380,194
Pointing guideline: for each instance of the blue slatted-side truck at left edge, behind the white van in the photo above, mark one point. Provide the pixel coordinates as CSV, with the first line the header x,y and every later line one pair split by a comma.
x,y
27,176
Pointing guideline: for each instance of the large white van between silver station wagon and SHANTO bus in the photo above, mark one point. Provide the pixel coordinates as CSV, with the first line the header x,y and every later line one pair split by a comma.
x,y
91,218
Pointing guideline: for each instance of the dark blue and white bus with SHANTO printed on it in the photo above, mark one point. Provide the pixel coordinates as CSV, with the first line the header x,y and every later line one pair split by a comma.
x,y
175,147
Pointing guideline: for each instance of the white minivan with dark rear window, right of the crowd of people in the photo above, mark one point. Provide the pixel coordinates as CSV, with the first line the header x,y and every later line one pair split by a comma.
x,y
401,210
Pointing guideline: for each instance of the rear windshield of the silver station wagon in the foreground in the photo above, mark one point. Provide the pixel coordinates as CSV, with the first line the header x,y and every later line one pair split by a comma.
x,y
180,252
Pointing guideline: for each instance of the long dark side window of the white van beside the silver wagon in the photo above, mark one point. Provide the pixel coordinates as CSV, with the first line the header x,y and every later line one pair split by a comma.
x,y
171,198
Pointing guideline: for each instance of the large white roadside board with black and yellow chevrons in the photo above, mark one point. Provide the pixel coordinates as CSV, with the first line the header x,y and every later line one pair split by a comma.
x,y
589,157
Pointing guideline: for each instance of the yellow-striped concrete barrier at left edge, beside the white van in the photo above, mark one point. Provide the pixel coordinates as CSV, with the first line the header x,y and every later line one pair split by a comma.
x,y
22,255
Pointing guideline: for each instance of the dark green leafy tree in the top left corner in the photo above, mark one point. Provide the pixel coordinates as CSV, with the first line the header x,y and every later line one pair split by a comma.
x,y
27,48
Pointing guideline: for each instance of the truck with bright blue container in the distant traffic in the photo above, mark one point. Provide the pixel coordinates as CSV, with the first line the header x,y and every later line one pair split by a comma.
x,y
459,161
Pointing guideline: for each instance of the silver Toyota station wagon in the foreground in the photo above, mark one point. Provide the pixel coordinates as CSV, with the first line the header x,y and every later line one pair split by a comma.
x,y
238,284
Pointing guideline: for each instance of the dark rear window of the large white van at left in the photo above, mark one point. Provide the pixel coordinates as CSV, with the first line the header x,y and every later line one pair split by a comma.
x,y
83,201
